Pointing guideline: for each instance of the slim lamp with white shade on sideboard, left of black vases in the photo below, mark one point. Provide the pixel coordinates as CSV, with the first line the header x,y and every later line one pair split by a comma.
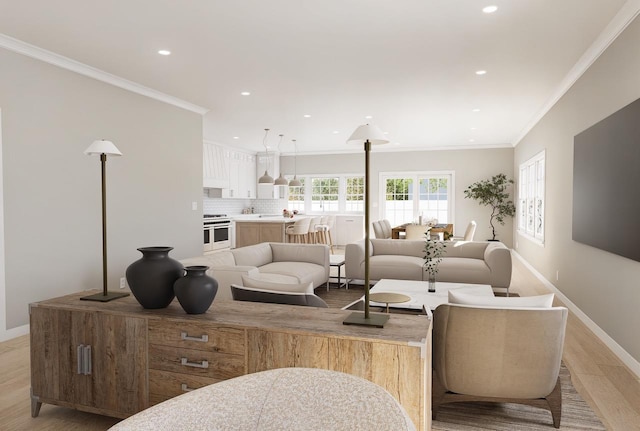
x,y
104,148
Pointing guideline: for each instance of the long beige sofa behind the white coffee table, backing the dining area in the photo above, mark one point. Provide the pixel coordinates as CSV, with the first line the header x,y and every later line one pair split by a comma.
x,y
482,262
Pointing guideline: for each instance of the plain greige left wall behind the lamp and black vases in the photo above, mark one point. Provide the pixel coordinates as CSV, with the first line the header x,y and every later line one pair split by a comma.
x,y
52,215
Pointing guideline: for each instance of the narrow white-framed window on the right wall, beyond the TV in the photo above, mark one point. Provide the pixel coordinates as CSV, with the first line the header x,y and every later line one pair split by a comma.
x,y
531,197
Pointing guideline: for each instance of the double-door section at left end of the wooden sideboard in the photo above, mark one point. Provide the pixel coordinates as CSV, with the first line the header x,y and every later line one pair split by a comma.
x,y
91,361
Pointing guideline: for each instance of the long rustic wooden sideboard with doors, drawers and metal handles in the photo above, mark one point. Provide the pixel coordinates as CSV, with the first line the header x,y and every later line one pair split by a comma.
x,y
116,358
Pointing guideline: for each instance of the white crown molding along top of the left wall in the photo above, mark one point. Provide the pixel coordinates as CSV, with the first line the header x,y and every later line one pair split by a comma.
x,y
33,51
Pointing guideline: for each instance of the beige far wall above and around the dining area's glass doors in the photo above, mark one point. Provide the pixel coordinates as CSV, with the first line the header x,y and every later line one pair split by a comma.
x,y
469,166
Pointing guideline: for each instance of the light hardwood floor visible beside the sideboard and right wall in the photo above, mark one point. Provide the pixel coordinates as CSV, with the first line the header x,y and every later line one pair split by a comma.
x,y
599,376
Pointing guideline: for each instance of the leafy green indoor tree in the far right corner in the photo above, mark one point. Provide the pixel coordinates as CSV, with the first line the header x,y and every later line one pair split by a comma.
x,y
493,193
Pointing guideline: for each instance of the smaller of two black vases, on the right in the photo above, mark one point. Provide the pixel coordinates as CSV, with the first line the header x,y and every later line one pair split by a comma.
x,y
196,290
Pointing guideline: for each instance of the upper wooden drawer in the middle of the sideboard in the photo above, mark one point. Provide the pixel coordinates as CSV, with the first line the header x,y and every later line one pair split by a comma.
x,y
196,335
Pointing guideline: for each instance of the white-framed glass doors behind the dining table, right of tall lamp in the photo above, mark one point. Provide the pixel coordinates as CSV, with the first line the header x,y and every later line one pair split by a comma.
x,y
407,197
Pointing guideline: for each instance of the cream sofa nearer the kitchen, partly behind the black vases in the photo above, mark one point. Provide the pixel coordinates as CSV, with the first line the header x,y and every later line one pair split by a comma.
x,y
274,262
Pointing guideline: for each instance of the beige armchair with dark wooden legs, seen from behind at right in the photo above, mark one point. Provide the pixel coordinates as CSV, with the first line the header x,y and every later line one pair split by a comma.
x,y
498,354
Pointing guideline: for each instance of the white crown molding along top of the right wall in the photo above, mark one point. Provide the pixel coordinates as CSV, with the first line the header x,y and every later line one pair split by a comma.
x,y
627,13
